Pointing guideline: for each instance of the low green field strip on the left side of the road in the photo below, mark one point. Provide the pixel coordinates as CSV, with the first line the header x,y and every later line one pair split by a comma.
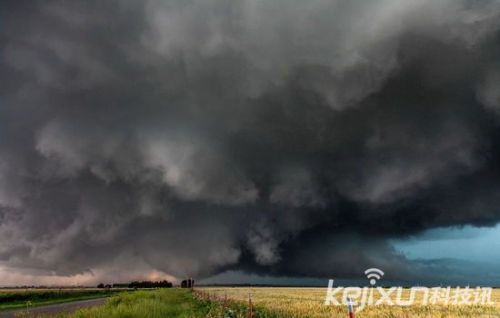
x,y
13,299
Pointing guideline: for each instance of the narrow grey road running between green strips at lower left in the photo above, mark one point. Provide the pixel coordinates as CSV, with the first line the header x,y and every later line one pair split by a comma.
x,y
53,309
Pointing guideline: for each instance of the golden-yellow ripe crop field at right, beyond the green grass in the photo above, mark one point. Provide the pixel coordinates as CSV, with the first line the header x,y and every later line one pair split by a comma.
x,y
309,302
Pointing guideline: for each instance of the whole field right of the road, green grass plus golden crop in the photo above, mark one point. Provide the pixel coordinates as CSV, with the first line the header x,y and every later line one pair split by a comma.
x,y
232,302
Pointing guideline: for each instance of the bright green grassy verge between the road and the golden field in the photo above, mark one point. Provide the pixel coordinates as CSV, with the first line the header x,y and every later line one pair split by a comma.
x,y
171,303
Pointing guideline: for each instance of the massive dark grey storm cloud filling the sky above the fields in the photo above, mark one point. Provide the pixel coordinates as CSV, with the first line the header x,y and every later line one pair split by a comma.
x,y
280,137
